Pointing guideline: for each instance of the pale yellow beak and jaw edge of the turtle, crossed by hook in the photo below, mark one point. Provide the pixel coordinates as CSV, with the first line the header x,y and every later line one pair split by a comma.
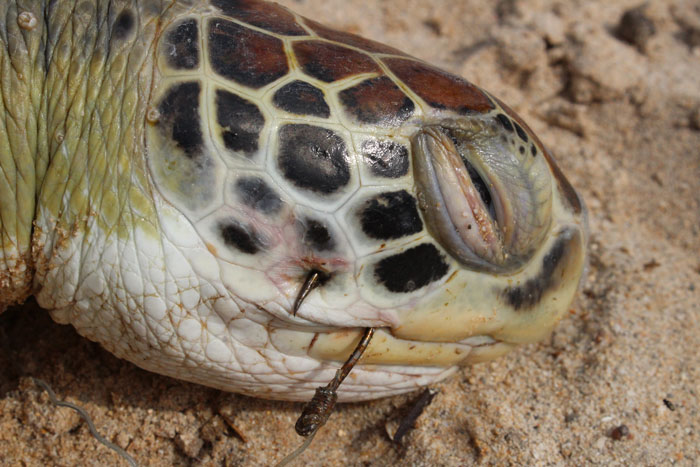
x,y
473,317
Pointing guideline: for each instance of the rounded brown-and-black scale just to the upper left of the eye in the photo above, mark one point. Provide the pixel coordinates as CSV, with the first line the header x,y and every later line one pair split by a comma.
x,y
377,101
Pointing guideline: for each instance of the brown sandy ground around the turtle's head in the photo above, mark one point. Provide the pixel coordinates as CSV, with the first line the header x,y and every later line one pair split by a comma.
x,y
619,104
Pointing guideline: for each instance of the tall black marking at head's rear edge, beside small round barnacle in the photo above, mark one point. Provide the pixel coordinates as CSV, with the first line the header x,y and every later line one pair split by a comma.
x,y
179,116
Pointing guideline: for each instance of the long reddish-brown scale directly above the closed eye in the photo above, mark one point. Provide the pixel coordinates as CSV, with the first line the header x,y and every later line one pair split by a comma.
x,y
439,88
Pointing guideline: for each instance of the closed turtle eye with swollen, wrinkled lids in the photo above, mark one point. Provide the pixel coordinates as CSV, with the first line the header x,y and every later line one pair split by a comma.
x,y
485,191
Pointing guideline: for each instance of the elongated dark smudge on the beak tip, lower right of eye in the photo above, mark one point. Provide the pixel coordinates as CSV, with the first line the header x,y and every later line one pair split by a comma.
x,y
530,293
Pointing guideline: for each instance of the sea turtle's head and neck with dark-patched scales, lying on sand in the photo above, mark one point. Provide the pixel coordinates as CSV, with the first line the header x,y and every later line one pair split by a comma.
x,y
173,173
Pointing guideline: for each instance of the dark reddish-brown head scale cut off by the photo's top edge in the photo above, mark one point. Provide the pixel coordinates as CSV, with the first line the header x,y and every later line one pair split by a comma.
x,y
265,15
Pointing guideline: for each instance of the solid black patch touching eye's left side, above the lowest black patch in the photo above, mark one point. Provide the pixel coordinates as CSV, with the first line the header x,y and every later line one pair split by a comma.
x,y
390,215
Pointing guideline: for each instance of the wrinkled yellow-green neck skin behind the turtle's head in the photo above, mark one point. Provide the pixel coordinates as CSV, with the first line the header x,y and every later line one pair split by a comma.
x,y
76,77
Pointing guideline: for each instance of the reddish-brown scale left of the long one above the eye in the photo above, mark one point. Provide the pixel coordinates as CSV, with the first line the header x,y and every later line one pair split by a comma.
x,y
330,62
